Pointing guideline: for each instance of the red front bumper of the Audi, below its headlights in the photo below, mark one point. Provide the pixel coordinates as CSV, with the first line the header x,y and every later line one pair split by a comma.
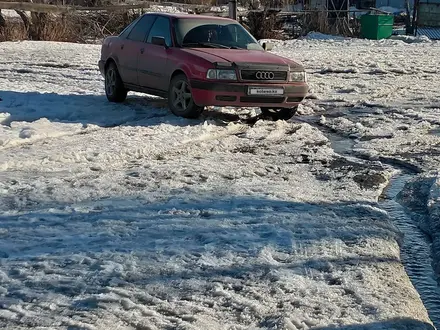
x,y
207,93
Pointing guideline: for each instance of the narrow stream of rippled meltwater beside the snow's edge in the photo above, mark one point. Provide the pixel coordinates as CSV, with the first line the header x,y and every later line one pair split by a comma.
x,y
415,250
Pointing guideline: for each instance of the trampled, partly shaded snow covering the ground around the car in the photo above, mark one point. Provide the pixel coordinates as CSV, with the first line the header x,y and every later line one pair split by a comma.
x,y
126,217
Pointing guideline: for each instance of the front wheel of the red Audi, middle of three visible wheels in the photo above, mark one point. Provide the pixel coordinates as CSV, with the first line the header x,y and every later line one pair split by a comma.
x,y
180,100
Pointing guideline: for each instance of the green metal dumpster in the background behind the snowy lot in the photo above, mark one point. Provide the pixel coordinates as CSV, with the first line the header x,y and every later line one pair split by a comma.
x,y
376,26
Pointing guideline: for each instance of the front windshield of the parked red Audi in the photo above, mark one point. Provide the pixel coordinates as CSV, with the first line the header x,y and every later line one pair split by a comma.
x,y
213,33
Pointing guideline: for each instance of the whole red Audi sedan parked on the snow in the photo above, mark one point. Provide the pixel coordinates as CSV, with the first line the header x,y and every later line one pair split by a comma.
x,y
196,61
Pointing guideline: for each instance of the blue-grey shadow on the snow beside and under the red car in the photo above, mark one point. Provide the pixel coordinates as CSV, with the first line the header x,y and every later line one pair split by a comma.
x,y
91,109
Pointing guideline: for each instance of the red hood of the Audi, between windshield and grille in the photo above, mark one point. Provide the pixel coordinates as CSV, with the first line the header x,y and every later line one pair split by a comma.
x,y
242,56
